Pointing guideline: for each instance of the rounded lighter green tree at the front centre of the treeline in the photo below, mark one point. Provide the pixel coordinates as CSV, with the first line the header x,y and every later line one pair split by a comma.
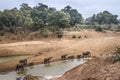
x,y
58,18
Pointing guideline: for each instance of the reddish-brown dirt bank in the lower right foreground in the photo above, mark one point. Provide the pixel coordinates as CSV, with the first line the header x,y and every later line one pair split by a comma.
x,y
96,69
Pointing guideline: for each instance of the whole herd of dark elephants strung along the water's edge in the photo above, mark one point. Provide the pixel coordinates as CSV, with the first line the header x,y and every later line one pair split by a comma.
x,y
23,63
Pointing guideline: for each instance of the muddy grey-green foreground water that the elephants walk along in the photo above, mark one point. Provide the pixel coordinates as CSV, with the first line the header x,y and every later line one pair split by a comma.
x,y
54,69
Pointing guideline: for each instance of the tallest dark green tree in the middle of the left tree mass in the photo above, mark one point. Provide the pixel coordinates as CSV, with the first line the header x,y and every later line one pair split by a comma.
x,y
39,15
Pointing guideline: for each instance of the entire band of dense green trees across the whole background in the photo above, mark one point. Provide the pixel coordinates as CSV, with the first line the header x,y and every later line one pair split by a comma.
x,y
42,17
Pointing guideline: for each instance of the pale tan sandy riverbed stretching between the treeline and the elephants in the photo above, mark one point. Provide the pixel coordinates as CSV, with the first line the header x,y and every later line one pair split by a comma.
x,y
96,42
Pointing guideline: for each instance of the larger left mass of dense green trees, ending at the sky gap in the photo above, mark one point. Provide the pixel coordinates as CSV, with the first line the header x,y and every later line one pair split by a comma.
x,y
38,18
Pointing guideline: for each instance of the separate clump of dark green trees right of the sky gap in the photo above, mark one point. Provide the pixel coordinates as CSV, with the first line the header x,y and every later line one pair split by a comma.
x,y
104,17
